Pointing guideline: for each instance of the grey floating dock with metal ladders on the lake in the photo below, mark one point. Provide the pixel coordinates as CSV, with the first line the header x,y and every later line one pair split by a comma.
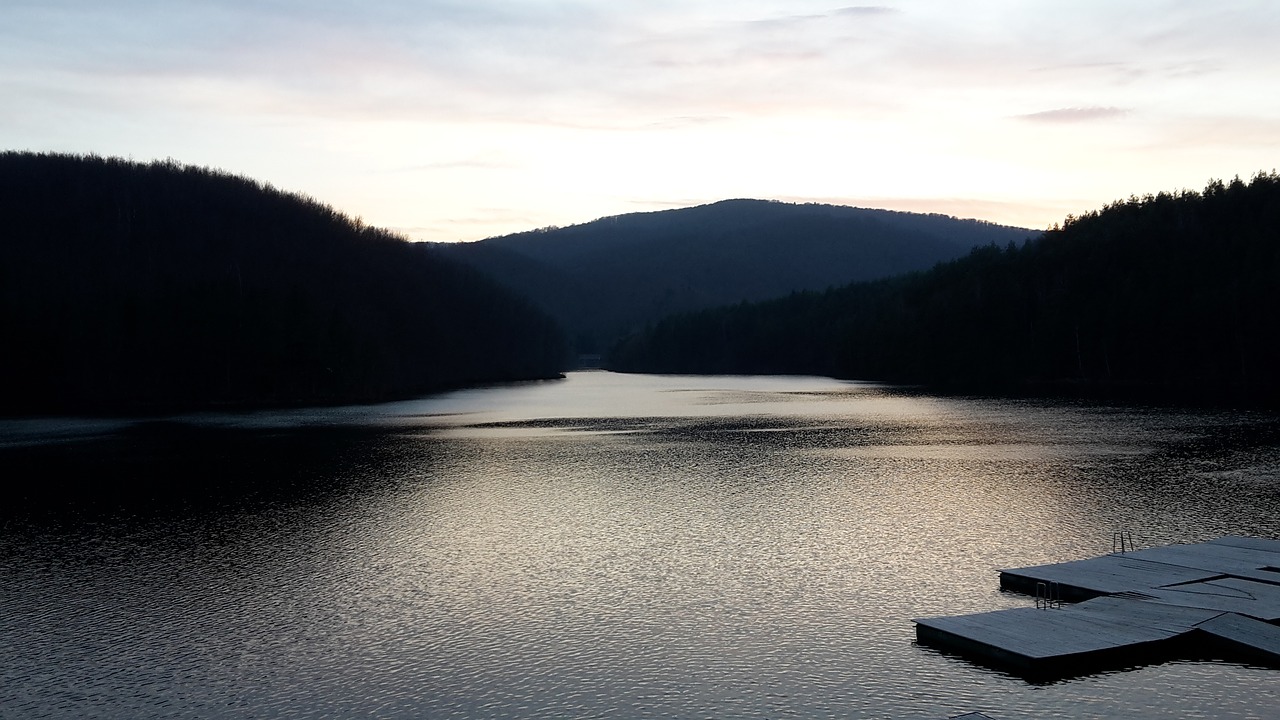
x,y
1218,598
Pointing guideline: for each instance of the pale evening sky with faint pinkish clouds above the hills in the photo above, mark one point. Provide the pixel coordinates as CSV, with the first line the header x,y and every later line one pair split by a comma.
x,y
464,120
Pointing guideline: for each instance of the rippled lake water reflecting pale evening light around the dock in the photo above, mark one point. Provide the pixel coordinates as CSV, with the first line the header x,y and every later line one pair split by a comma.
x,y
604,546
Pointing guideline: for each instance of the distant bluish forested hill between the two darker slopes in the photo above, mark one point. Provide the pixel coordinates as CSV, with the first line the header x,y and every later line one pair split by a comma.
x,y
612,276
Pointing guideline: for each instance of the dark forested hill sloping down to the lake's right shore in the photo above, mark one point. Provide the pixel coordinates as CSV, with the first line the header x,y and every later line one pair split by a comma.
x,y
1172,297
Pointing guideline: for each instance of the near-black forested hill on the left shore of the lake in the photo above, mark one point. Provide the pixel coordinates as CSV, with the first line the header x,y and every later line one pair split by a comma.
x,y
131,288
